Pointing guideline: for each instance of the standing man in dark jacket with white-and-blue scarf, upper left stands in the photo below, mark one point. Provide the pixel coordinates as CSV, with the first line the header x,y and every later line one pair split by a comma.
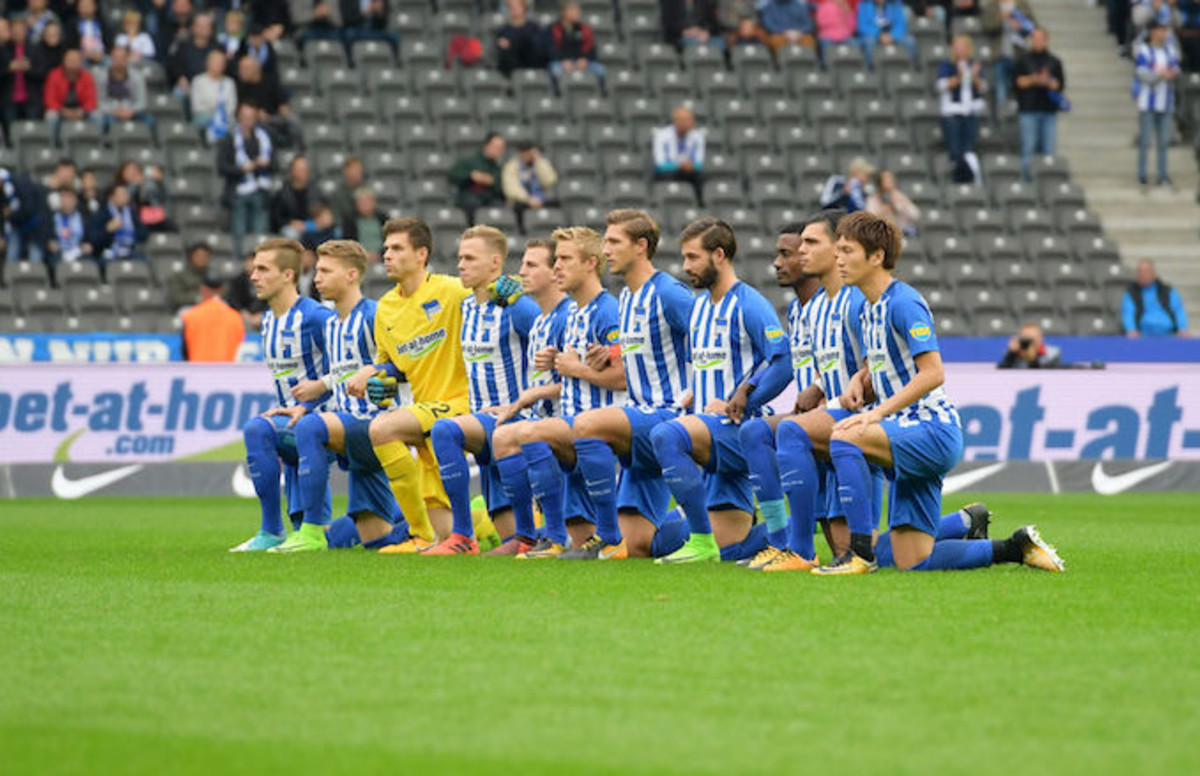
x,y
247,160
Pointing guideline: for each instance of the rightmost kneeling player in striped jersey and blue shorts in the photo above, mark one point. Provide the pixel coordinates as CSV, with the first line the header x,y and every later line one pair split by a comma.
x,y
914,431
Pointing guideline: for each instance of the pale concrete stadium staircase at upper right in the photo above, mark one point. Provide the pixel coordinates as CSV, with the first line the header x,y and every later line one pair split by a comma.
x,y
1100,141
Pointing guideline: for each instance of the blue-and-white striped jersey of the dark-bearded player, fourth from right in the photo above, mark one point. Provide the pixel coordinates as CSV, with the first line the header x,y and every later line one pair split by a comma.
x,y
731,340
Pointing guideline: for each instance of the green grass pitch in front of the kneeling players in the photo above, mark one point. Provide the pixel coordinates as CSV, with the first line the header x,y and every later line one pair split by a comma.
x,y
133,643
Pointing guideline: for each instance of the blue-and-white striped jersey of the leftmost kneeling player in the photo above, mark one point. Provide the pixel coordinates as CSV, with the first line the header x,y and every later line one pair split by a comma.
x,y
295,348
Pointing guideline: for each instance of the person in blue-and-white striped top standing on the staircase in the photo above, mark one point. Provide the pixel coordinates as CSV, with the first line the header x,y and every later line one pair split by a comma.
x,y
1157,68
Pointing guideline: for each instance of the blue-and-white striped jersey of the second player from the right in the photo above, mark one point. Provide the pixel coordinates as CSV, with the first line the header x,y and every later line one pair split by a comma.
x,y
836,330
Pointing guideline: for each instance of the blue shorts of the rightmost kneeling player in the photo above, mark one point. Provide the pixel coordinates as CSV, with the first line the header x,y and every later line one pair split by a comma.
x,y
922,454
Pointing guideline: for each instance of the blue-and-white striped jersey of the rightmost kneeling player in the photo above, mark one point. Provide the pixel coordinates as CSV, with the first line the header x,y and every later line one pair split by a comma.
x,y
897,330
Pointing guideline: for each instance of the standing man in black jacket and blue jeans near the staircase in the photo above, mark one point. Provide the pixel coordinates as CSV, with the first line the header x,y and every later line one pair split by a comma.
x,y
1040,82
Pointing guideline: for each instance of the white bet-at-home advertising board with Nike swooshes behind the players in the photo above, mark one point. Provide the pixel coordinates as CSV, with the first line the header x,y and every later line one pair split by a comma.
x,y
173,429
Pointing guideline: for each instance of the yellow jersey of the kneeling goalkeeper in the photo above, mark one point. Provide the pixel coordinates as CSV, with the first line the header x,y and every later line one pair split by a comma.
x,y
421,336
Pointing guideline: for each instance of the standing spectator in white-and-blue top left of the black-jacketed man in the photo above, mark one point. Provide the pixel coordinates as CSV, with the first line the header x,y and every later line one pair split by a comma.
x,y
962,88
